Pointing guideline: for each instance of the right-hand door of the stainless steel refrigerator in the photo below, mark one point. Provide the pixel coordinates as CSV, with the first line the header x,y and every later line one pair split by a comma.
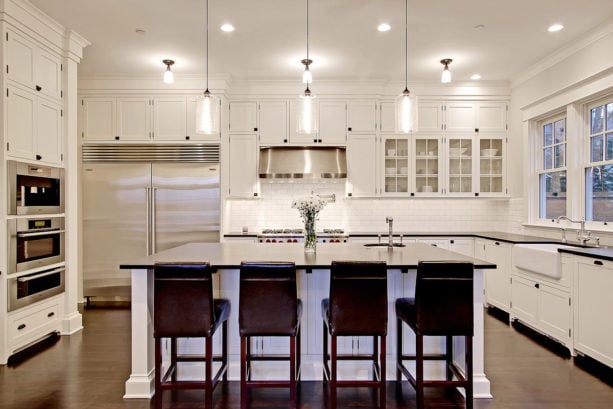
x,y
185,204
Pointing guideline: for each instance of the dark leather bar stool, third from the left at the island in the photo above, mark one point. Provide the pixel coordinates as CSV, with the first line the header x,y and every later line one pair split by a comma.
x,y
357,306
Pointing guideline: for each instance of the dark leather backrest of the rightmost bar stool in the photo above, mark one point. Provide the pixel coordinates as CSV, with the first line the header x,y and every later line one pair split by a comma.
x,y
444,298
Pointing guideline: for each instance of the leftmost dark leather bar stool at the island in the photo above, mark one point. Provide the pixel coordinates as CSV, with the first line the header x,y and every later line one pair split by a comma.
x,y
183,306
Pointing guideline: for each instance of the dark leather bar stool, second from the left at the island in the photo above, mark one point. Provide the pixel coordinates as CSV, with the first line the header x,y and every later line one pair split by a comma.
x,y
269,307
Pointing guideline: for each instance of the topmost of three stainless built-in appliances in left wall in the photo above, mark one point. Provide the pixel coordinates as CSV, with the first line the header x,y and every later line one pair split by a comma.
x,y
34,189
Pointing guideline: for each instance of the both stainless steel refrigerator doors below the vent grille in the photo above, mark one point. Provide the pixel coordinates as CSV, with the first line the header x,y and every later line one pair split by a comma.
x,y
139,209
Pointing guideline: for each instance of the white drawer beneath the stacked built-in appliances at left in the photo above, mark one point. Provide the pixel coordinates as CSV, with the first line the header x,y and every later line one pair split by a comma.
x,y
25,326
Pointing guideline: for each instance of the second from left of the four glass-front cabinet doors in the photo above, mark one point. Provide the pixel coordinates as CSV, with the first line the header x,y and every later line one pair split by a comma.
x,y
427,165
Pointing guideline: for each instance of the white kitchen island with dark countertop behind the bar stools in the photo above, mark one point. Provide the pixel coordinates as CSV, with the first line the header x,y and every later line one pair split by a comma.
x,y
313,281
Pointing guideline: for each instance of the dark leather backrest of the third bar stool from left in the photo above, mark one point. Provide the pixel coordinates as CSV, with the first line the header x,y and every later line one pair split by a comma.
x,y
358,298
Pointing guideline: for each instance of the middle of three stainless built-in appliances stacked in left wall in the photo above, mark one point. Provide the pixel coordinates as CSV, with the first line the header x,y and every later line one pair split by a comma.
x,y
35,242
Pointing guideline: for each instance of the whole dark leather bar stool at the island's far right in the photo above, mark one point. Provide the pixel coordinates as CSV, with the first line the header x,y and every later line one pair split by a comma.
x,y
443,305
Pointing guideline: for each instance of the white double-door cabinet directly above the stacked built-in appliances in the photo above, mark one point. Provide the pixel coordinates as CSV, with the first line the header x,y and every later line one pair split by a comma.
x,y
34,126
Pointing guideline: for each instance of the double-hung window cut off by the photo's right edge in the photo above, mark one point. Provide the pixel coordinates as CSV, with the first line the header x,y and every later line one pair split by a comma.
x,y
599,168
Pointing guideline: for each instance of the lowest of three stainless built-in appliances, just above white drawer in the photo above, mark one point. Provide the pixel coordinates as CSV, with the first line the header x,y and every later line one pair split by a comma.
x,y
30,288
